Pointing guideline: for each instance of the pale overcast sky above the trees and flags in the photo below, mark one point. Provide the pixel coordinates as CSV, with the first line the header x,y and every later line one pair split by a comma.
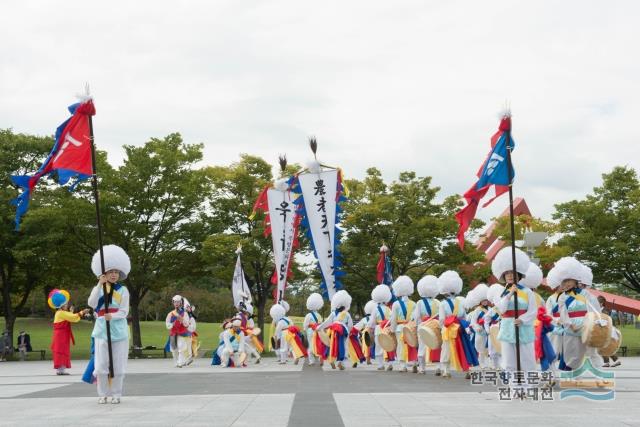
x,y
400,85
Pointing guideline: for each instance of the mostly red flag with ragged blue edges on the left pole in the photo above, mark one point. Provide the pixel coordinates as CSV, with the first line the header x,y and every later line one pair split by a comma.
x,y
69,158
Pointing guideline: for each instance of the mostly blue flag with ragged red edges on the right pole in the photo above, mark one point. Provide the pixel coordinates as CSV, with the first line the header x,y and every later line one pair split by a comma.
x,y
494,171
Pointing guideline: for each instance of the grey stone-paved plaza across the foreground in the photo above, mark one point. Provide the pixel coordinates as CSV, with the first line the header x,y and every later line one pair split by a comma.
x,y
269,394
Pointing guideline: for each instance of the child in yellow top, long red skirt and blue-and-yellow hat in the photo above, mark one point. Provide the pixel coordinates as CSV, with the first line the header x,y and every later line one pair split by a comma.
x,y
62,334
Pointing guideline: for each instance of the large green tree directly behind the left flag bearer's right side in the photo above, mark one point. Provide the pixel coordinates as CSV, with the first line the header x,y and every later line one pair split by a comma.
x,y
154,207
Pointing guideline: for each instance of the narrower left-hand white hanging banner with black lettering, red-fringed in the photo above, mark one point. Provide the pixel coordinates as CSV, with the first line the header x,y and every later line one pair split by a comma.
x,y
282,219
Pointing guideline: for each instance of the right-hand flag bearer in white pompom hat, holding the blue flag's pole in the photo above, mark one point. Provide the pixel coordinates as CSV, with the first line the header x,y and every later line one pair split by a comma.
x,y
524,317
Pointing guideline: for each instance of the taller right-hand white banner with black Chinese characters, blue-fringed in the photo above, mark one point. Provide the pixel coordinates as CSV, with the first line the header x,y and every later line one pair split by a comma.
x,y
319,193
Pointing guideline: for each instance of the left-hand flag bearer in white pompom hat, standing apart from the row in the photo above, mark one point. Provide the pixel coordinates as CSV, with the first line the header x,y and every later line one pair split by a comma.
x,y
112,307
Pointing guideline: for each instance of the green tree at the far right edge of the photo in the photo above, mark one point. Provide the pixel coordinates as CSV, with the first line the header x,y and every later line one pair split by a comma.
x,y
603,229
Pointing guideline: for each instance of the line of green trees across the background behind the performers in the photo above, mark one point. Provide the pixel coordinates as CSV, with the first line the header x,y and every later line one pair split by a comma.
x,y
181,221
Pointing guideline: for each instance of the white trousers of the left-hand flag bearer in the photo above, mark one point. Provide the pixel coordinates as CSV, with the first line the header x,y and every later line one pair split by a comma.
x,y
119,351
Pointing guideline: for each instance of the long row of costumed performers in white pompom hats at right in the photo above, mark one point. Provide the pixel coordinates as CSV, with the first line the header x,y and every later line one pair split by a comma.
x,y
453,332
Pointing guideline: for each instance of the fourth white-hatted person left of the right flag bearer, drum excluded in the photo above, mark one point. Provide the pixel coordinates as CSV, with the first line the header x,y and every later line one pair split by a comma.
x,y
426,309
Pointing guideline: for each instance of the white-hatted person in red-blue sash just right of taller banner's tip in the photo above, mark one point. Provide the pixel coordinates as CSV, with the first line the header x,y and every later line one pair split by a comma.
x,y
338,326
